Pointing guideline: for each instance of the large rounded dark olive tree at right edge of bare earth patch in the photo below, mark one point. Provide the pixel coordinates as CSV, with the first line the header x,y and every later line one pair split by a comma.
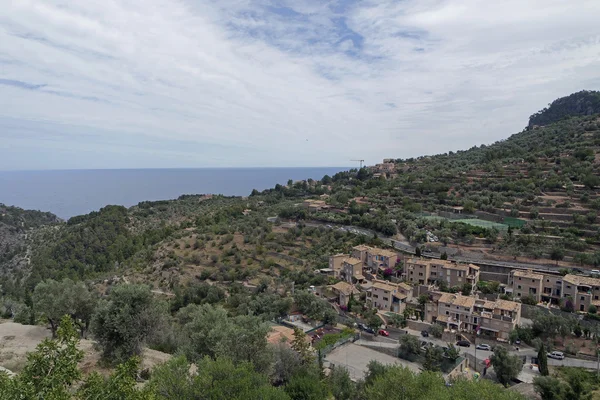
x,y
123,322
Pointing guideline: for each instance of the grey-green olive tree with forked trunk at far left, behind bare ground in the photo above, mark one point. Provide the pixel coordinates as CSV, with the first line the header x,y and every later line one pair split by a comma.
x,y
56,299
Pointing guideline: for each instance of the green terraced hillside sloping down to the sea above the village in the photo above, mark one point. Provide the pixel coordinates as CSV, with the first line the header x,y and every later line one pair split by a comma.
x,y
533,195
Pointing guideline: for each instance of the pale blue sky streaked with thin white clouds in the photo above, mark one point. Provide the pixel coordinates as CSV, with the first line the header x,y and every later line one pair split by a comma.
x,y
260,83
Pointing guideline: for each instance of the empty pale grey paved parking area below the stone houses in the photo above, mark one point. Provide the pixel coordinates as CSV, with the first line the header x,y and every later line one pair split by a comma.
x,y
356,358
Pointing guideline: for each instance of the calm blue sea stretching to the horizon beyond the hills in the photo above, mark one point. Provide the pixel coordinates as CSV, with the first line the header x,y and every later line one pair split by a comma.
x,y
67,193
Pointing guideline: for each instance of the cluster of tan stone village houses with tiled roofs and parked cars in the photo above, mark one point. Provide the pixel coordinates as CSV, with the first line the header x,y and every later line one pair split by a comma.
x,y
440,304
